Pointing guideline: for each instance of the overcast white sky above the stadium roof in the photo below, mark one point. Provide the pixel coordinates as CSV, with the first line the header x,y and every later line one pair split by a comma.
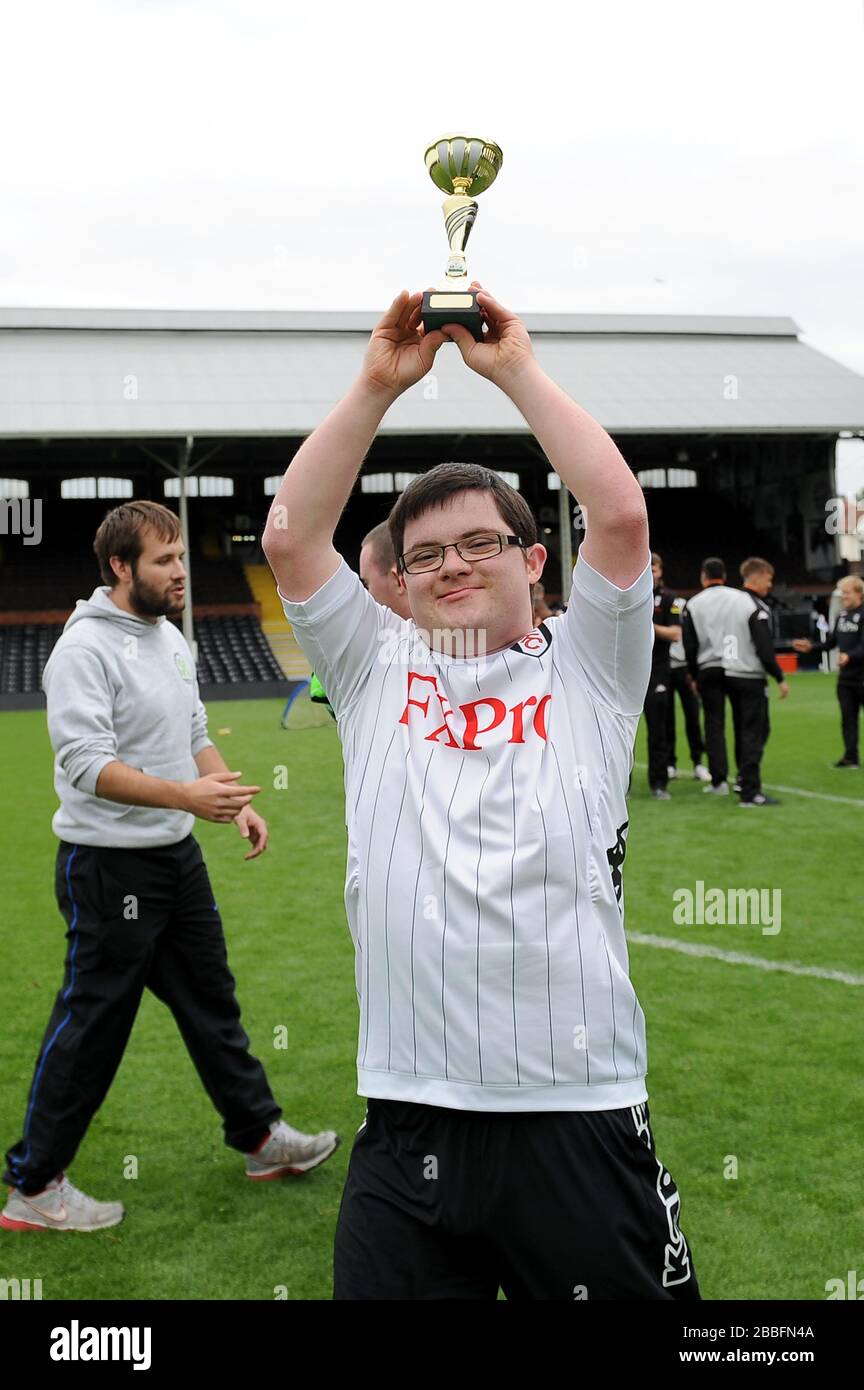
x,y
666,158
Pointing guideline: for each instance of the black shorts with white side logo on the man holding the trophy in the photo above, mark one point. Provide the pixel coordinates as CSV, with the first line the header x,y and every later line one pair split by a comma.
x,y
459,1204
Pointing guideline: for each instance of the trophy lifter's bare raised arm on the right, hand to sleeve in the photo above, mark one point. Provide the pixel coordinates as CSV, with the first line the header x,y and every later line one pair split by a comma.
x,y
577,447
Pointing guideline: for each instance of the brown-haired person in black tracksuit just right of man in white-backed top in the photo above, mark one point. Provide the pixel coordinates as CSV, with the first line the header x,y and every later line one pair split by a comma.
x,y
747,686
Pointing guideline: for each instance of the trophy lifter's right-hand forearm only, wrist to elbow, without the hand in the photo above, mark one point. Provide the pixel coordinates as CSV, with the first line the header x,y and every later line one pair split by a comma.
x,y
580,450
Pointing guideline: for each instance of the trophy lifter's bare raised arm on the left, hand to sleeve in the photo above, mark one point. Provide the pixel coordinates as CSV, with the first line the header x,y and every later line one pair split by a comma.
x,y
299,536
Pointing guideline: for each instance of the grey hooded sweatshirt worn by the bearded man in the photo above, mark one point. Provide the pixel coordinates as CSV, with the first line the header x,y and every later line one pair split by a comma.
x,y
122,690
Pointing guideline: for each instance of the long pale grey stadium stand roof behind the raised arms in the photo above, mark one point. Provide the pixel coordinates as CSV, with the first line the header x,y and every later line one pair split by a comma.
x,y
69,373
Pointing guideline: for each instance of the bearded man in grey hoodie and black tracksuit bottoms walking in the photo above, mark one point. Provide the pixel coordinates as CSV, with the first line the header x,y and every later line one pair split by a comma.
x,y
133,769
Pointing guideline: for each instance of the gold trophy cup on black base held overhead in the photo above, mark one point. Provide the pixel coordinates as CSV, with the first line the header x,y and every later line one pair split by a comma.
x,y
459,165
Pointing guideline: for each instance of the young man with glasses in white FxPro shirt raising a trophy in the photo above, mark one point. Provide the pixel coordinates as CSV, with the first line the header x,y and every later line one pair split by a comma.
x,y
502,1046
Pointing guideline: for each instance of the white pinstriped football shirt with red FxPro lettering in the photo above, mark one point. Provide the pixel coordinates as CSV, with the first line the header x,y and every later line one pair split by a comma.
x,y
487,821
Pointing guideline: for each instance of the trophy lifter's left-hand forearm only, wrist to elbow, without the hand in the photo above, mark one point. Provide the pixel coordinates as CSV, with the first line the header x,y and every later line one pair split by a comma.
x,y
320,479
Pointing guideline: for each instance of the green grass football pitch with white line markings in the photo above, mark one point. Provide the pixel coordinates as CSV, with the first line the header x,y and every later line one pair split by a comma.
x,y
747,1067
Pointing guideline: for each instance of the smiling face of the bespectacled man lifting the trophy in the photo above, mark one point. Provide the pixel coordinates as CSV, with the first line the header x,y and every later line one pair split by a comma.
x,y
488,597
